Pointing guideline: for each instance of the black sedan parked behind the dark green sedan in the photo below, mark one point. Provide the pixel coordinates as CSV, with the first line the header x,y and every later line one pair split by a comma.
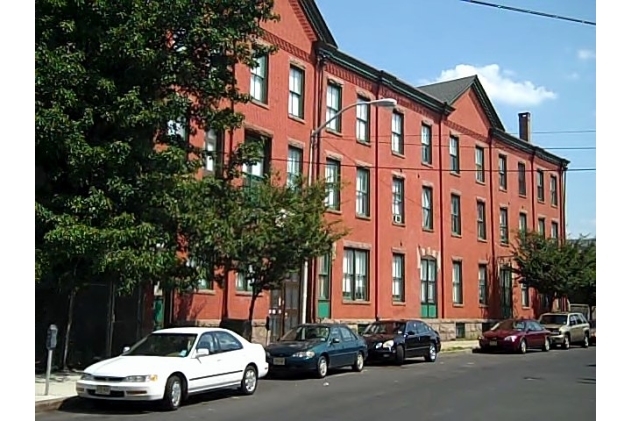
x,y
398,340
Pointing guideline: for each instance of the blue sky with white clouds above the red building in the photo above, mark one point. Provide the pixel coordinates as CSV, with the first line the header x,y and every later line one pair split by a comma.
x,y
527,63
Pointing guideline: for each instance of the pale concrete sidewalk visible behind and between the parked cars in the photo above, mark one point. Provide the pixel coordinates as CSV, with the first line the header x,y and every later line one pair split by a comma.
x,y
62,386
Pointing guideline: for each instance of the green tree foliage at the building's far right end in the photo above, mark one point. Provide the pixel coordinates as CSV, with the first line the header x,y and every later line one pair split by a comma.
x,y
556,269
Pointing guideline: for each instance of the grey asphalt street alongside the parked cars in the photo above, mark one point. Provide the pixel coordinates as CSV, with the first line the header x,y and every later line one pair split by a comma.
x,y
553,385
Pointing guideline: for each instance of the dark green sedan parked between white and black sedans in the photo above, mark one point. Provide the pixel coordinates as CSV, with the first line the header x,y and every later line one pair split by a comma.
x,y
317,348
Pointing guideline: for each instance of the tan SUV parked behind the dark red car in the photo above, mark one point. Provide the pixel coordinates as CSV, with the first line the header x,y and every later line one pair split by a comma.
x,y
566,328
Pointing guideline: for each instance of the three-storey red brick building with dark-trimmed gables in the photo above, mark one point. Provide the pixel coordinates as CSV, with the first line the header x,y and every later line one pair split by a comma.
x,y
433,191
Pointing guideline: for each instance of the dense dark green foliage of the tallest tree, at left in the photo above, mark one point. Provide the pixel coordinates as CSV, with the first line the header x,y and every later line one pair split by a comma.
x,y
119,87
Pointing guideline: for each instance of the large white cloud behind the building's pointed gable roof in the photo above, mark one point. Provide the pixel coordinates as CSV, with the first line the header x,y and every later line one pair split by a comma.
x,y
501,85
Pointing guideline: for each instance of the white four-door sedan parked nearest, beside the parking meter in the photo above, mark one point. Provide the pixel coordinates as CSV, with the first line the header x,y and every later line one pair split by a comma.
x,y
171,364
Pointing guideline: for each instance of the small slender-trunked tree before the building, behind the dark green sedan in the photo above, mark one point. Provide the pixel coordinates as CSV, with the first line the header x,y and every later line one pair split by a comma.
x,y
262,229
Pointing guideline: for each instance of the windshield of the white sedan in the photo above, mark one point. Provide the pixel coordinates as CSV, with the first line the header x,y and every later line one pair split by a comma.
x,y
164,345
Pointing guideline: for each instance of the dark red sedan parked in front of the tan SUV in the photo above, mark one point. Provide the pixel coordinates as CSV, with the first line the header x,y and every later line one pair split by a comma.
x,y
515,335
